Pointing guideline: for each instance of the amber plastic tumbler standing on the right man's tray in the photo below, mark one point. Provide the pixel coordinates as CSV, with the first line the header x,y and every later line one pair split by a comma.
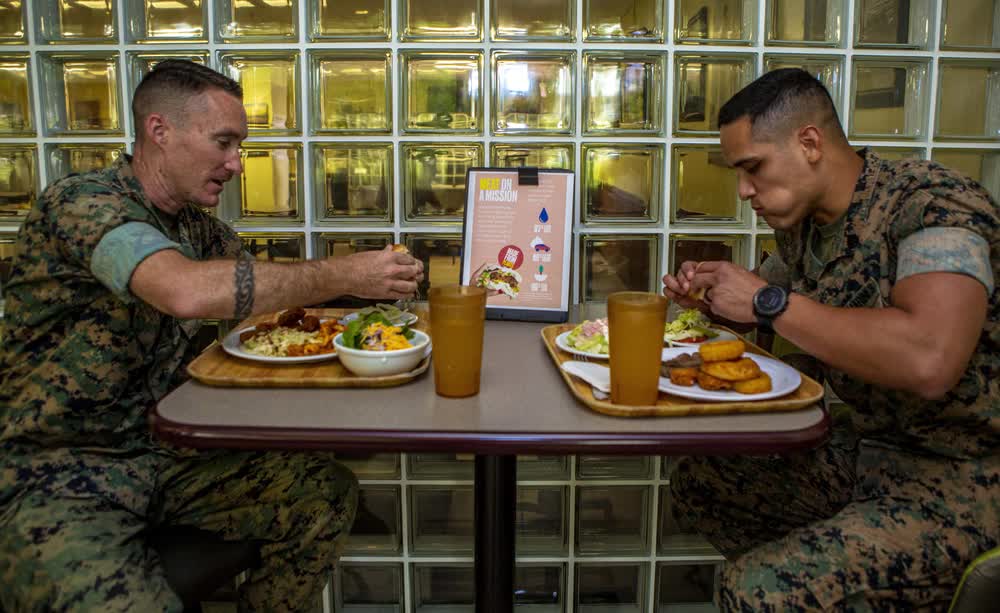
x,y
635,345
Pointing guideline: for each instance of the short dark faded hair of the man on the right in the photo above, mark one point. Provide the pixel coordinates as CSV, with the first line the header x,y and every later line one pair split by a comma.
x,y
783,100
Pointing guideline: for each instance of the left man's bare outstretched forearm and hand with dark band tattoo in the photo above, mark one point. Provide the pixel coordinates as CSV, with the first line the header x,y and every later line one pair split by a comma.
x,y
224,289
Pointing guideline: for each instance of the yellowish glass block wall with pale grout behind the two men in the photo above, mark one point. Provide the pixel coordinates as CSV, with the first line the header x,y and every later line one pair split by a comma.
x,y
364,116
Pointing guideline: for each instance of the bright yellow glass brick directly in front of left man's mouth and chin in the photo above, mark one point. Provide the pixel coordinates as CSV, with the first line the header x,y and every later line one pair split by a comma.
x,y
270,187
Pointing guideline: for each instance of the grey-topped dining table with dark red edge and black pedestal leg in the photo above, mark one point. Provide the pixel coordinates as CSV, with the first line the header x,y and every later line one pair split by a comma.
x,y
523,407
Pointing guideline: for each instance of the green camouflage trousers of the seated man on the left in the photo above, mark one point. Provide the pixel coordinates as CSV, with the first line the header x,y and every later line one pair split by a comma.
x,y
76,539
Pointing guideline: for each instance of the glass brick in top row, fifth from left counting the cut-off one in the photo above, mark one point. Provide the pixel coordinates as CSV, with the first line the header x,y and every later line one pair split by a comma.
x,y
350,19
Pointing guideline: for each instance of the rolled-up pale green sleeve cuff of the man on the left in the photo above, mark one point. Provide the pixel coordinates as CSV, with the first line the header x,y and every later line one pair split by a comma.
x,y
121,250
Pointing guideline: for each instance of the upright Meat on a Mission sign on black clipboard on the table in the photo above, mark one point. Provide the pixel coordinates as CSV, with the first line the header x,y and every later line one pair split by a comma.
x,y
517,232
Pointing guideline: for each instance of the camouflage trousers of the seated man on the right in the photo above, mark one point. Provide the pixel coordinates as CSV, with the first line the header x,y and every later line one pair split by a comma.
x,y
840,528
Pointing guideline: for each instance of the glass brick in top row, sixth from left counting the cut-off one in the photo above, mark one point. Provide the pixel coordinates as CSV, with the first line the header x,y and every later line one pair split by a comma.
x,y
458,20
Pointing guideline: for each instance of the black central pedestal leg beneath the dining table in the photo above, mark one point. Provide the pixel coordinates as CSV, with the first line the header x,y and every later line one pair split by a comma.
x,y
496,498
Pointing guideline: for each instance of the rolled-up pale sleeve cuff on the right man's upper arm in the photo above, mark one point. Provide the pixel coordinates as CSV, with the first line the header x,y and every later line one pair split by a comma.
x,y
945,249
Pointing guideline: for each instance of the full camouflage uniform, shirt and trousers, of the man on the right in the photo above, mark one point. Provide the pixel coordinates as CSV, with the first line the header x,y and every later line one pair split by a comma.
x,y
889,512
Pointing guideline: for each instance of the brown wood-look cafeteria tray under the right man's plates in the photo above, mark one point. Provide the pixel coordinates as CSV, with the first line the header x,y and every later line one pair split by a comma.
x,y
808,393
